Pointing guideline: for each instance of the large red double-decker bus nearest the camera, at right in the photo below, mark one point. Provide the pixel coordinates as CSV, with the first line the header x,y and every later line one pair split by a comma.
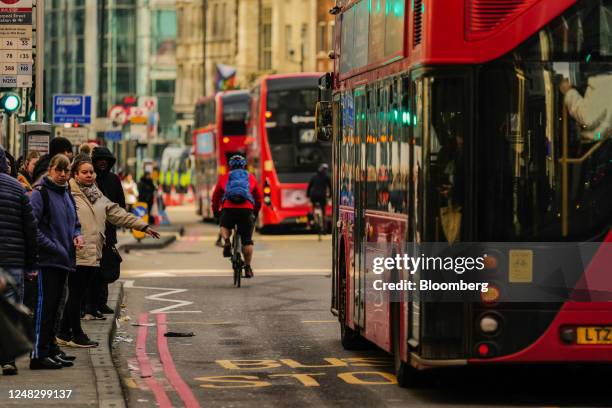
x,y
469,121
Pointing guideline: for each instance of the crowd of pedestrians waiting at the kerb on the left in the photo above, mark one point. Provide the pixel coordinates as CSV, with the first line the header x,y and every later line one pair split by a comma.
x,y
58,219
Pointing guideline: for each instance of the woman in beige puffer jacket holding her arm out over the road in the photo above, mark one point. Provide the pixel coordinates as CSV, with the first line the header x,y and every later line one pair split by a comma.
x,y
94,210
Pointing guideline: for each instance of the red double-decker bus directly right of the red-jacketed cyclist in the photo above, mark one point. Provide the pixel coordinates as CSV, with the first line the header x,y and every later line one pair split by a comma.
x,y
285,153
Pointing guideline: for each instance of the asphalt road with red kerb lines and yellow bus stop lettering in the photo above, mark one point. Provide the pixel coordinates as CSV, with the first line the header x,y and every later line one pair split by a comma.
x,y
274,343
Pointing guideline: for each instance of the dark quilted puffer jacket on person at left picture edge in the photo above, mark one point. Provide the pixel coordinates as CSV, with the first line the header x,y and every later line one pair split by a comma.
x,y
18,245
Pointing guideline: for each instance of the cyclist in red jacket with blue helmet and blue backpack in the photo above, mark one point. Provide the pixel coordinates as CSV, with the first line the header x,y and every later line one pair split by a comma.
x,y
238,199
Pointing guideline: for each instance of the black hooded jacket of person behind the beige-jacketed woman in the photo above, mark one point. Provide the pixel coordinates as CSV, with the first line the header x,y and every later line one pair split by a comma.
x,y
110,185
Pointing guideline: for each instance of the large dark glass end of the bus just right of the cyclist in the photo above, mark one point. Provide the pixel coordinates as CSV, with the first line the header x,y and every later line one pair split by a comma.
x,y
290,128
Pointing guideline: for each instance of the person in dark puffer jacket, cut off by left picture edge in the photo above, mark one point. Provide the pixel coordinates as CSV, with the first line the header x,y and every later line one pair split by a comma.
x,y
18,244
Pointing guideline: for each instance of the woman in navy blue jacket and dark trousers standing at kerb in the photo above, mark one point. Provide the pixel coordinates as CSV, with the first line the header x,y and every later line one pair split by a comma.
x,y
59,234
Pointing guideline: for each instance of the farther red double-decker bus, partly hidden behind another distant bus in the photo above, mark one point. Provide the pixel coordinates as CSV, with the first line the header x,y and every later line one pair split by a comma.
x,y
220,132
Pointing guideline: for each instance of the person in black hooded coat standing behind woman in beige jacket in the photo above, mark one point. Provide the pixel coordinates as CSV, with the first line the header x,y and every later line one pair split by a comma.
x,y
110,185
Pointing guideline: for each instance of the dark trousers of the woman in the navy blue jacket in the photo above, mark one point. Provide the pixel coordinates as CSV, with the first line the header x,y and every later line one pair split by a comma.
x,y
50,287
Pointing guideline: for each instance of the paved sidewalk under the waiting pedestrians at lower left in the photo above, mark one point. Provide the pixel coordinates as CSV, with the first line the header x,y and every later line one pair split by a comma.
x,y
93,381
